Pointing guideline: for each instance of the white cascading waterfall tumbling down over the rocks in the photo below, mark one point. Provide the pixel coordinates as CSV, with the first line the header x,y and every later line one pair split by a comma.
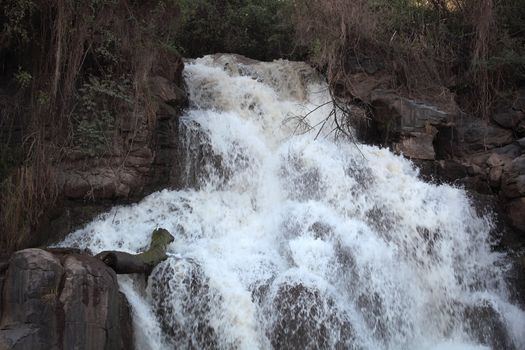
x,y
284,240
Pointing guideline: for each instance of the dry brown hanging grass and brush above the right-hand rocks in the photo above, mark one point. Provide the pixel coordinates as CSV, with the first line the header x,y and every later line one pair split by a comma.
x,y
424,45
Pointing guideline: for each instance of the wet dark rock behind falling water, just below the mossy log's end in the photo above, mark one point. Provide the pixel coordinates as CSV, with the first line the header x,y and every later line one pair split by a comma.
x,y
183,302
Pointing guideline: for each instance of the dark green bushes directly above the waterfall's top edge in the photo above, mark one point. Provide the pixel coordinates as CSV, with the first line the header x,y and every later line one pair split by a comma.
x,y
260,29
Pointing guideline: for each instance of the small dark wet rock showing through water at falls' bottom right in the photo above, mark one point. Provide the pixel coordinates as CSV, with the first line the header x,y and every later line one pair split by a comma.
x,y
486,326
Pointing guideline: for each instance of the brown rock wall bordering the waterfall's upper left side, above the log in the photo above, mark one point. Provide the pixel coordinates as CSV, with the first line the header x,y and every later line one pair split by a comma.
x,y
143,155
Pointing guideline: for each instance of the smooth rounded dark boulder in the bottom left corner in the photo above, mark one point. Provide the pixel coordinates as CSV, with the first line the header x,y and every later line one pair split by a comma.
x,y
62,301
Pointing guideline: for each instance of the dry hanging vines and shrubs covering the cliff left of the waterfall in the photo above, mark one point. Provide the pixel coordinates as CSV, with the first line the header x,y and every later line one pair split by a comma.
x,y
66,68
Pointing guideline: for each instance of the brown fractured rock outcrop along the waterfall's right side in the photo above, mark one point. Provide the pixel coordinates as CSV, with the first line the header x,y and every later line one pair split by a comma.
x,y
487,156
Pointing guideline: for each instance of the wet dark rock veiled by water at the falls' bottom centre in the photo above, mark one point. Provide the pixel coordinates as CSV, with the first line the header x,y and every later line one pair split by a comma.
x,y
303,318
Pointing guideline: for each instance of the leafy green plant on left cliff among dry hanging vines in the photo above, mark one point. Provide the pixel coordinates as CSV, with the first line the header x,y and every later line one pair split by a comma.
x,y
99,100
